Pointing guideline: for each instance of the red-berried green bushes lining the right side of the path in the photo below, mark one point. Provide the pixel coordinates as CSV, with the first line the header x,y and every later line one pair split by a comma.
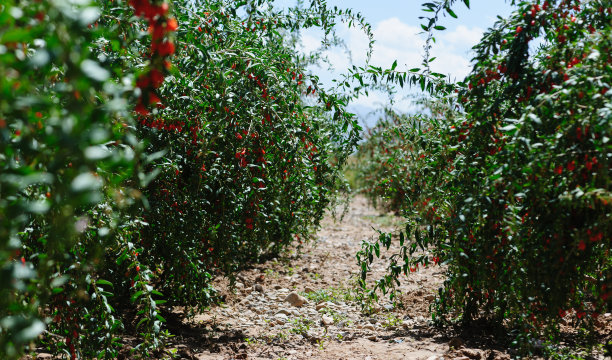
x,y
506,182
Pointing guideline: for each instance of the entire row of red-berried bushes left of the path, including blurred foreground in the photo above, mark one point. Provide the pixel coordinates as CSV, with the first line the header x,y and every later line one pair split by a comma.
x,y
146,148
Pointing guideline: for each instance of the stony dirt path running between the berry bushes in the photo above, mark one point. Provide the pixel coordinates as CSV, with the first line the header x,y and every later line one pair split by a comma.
x,y
257,322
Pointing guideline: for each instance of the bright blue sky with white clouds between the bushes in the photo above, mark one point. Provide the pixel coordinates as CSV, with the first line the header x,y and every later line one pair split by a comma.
x,y
397,32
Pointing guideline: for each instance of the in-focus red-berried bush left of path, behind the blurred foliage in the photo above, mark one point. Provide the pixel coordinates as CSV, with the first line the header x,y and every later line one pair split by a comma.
x,y
252,150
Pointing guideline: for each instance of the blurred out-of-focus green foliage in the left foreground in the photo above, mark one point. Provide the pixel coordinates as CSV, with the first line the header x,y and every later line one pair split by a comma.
x,y
68,169
